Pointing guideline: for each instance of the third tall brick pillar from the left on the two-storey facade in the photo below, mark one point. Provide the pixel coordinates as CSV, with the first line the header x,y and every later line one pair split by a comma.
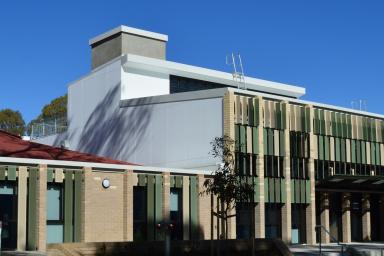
x,y
286,218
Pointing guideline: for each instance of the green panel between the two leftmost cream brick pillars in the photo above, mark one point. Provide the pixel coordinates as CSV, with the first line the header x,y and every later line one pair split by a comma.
x,y
32,209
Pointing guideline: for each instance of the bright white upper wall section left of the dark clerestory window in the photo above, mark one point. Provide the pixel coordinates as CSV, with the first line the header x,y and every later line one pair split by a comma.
x,y
138,84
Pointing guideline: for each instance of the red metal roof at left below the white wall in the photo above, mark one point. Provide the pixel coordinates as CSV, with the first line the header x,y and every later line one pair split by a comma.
x,y
14,146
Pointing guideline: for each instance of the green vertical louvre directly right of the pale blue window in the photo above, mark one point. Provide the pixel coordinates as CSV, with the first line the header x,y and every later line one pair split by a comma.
x,y
68,207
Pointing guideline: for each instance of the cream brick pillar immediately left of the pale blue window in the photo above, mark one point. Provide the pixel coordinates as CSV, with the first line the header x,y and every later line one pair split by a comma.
x,y
42,208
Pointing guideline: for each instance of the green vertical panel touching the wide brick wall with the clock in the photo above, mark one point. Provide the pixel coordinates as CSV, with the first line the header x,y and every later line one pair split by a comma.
x,y
78,176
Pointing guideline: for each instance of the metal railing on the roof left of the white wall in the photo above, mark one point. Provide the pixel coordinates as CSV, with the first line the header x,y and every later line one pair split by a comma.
x,y
48,127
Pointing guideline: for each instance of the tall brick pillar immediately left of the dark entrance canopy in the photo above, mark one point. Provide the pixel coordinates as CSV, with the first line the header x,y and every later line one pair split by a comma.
x,y
310,211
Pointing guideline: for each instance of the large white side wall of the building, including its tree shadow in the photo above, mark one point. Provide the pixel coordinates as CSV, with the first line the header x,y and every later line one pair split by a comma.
x,y
171,134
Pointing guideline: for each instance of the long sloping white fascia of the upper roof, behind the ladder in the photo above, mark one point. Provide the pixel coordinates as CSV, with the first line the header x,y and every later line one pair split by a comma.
x,y
135,62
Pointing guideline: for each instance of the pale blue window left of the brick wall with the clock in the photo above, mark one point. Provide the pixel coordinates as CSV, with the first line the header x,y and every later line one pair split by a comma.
x,y
55,216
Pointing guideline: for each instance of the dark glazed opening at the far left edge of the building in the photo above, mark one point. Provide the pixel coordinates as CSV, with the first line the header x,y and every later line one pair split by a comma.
x,y
8,216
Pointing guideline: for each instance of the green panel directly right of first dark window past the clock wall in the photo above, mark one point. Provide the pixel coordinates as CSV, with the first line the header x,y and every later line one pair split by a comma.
x,y
151,207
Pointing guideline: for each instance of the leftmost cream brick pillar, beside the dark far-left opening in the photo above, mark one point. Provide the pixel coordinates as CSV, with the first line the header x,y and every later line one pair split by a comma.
x,y
22,208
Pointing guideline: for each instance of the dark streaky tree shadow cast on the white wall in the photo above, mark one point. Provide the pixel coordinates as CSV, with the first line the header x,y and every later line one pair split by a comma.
x,y
110,128
